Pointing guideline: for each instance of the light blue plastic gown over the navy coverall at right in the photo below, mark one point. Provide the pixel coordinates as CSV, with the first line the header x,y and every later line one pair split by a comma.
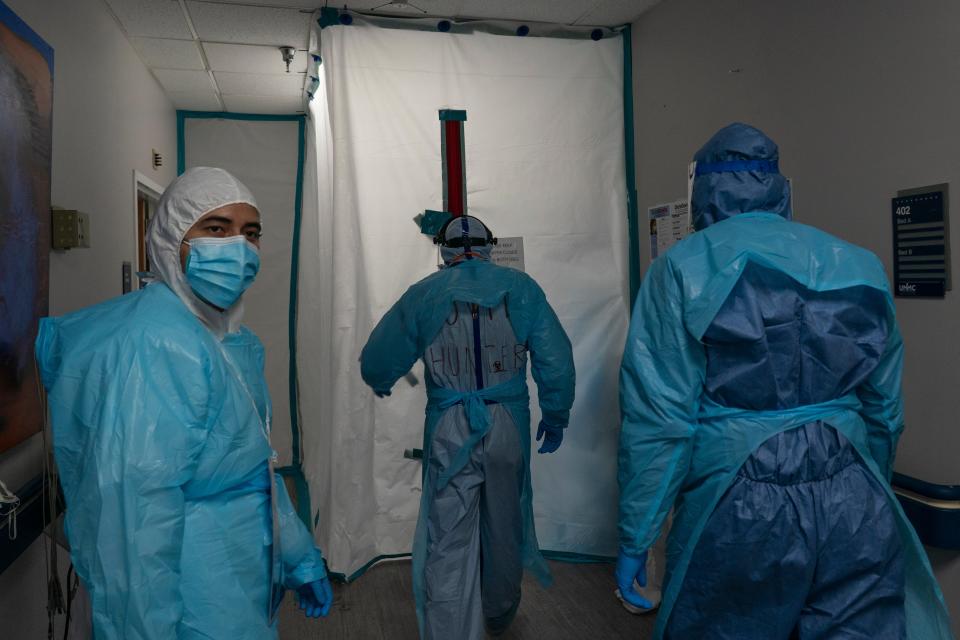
x,y
680,443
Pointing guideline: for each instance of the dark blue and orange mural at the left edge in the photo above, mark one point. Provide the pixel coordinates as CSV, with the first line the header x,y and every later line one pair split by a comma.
x,y
26,110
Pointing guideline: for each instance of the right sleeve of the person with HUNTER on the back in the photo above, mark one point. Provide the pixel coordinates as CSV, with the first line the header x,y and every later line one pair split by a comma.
x,y
551,362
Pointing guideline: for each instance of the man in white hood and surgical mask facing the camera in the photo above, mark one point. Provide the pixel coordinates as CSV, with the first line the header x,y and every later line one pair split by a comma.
x,y
161,423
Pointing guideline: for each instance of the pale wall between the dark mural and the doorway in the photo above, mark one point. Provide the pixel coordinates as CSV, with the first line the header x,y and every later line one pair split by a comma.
x,y
109,113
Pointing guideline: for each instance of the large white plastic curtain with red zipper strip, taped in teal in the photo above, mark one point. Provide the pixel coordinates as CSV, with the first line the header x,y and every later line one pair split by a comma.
x,y
545,161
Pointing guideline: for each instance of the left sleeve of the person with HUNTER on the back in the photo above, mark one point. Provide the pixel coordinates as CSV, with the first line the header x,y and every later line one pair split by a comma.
x,y
392,348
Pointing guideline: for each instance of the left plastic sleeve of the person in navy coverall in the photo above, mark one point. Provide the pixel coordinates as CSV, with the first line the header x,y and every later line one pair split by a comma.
x,y
661,381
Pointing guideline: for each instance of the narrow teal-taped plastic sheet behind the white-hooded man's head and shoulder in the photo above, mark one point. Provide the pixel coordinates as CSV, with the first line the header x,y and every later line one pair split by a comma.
x,y
263,155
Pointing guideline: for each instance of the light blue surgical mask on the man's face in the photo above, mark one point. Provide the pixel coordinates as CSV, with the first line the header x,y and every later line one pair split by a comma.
x,y
219,270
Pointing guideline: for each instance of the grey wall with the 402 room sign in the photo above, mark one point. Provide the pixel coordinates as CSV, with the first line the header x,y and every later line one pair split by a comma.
x,y
863,99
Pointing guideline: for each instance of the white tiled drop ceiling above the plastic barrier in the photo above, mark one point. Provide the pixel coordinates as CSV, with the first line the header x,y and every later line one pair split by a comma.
x,y
238,40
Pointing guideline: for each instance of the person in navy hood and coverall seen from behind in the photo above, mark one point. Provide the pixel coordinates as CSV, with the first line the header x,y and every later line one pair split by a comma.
x,y
760,395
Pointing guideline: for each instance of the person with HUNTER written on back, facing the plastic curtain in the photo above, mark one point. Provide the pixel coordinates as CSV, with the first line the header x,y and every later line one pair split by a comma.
x,y
475,325
